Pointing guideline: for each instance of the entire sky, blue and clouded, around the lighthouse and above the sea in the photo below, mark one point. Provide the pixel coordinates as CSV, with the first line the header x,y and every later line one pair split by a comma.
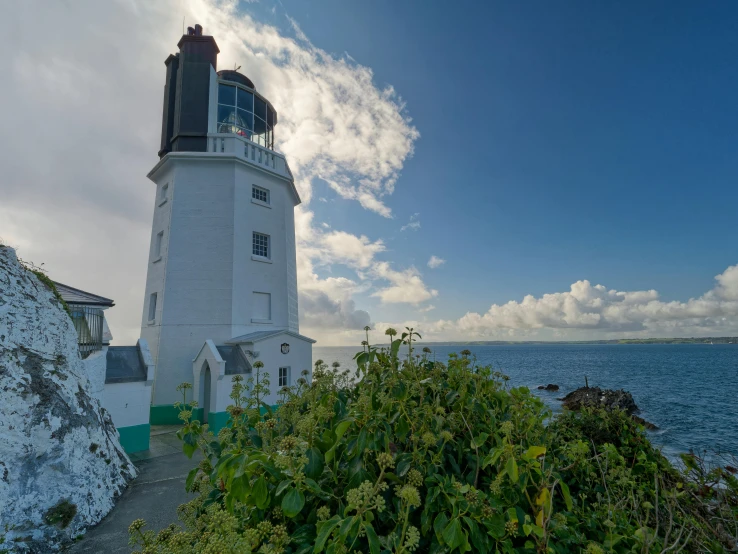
x,y
545,147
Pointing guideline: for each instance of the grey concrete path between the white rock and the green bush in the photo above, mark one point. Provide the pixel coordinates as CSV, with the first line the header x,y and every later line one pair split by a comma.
x,y
154,495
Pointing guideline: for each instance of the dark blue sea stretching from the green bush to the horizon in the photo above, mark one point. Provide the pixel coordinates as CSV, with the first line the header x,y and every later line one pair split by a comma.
x,y
690,391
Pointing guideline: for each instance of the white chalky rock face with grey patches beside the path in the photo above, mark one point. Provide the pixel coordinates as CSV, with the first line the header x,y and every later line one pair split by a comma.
x,y
61,463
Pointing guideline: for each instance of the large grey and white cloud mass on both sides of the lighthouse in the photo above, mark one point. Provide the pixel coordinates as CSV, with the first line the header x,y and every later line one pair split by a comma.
x,y
86,113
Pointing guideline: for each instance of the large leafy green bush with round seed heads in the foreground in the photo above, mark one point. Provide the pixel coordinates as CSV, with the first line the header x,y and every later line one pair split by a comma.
x,y
420,456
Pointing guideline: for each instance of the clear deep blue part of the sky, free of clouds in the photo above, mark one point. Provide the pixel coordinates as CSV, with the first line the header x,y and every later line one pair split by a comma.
x,y
559,141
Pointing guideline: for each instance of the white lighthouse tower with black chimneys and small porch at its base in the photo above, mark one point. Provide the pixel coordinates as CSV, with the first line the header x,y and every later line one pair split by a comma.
x,y
221,288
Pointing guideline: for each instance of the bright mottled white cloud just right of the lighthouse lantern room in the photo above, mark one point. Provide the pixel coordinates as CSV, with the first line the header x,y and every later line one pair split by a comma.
x,y
335,123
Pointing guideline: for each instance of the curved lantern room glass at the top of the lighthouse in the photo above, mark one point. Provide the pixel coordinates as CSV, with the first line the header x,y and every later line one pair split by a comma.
x,y
241,112
